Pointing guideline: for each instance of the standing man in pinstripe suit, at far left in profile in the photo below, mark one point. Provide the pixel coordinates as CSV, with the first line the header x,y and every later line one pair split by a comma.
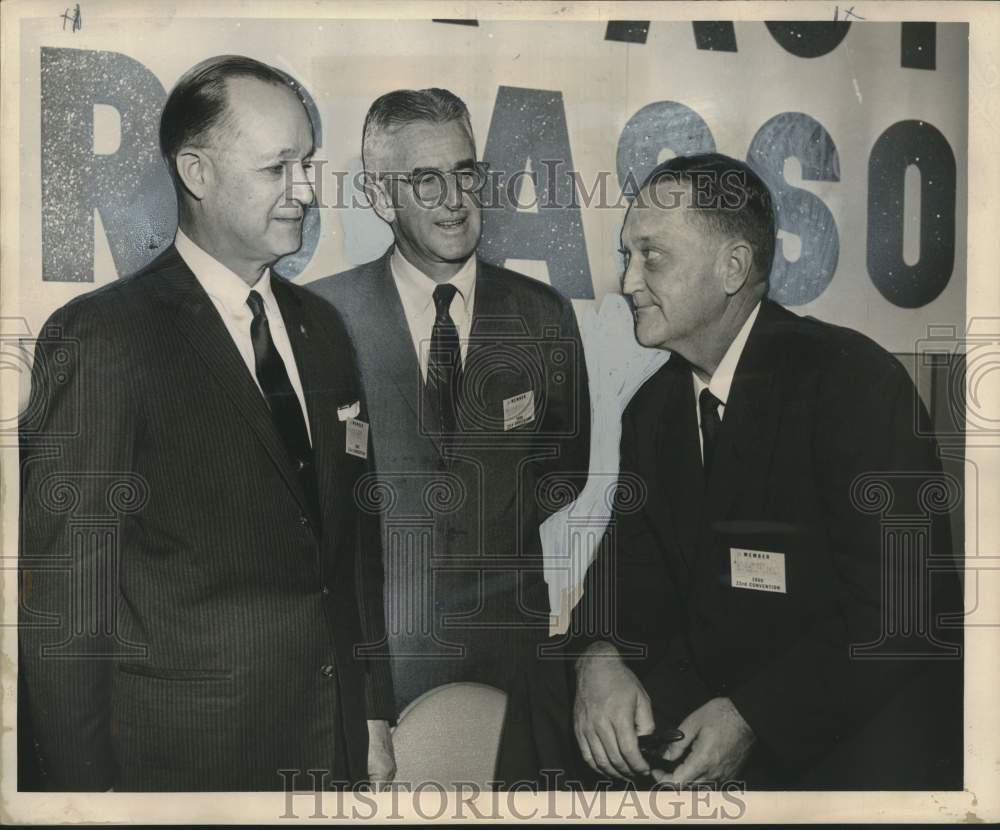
x,y
196,578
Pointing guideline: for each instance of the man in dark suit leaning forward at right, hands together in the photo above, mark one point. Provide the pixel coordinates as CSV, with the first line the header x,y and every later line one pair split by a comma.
x,y
777,597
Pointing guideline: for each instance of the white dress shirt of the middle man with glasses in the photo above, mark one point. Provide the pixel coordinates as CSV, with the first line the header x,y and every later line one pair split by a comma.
x,y
416,290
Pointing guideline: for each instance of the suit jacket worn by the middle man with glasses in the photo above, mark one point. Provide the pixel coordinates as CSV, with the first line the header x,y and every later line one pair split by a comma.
x,y
465,594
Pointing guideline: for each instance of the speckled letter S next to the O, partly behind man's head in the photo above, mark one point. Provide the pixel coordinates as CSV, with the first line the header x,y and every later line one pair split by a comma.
x,y
797,135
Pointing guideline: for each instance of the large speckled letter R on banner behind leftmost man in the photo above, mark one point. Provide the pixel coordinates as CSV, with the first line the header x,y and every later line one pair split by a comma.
x,y
130,188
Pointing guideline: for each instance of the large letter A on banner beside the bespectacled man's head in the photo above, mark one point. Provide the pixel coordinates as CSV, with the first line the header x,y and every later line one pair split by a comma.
x,y
531,124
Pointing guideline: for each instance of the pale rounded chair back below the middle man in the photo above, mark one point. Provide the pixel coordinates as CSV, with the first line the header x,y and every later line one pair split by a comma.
x,y
449,735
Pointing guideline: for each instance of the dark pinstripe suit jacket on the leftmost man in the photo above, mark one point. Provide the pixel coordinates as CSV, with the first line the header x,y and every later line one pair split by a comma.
x,y
185,626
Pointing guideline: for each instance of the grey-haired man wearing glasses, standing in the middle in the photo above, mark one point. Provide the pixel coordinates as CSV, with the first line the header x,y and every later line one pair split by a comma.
x,y
477,391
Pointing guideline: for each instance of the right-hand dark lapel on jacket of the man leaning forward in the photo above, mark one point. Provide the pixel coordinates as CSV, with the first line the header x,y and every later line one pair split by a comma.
x,y
746,438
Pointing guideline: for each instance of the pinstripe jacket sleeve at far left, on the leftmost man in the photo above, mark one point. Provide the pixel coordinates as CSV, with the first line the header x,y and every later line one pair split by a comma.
x,y
76,430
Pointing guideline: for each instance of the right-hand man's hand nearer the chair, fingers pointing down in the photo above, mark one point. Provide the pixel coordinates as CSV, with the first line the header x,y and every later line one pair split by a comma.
x,y
610,711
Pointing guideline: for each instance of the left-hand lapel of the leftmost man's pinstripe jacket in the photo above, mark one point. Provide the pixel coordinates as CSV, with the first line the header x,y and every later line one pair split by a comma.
x,y
199,322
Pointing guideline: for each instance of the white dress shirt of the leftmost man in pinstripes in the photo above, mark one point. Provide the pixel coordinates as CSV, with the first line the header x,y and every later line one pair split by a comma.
x,y
228,293
